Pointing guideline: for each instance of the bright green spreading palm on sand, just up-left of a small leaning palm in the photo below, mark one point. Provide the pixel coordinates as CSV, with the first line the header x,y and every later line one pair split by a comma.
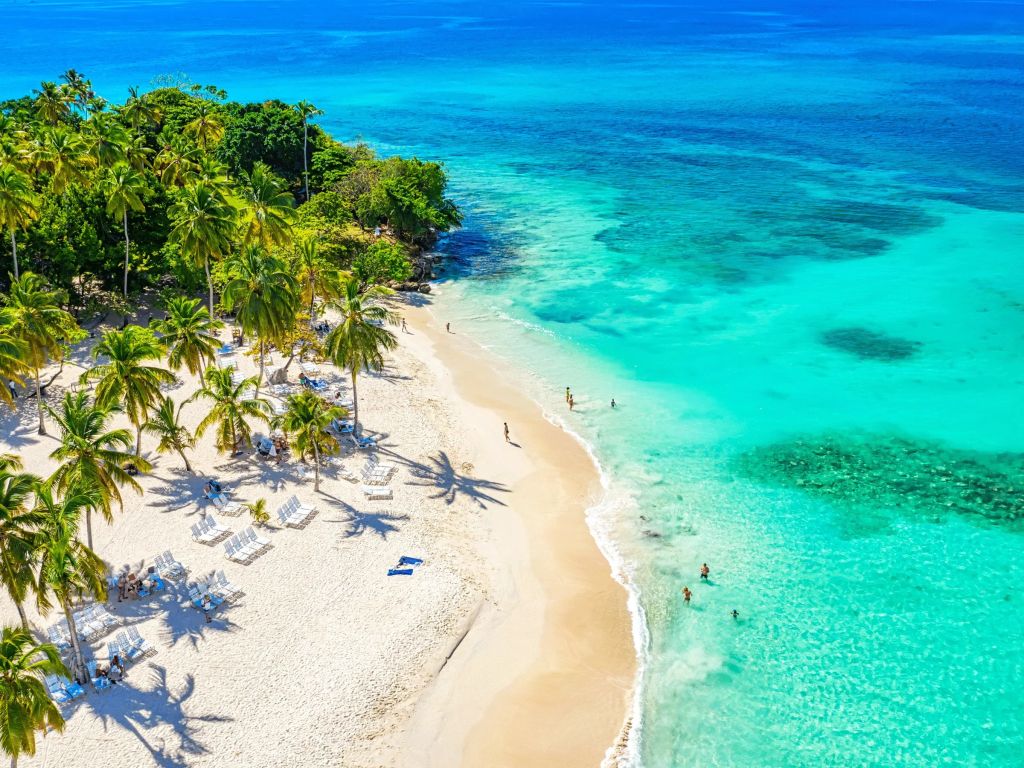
x,y
125,378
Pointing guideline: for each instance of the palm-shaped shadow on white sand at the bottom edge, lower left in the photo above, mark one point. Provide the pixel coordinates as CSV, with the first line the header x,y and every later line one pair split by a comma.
x,y
139,711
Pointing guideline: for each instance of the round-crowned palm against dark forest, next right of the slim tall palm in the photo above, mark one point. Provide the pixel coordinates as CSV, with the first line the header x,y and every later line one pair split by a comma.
x,y
203,226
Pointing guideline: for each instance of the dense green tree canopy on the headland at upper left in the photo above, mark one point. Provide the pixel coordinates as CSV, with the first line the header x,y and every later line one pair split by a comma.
x,y
93,194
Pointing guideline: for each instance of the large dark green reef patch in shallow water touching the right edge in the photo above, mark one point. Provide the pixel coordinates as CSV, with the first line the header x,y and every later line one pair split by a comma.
x,y
895,473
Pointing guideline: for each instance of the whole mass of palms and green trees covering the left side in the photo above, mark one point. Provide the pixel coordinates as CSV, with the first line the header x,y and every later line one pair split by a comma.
x,y
178,194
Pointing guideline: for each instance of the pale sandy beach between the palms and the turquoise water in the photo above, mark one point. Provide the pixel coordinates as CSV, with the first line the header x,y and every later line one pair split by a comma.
x,y
513,621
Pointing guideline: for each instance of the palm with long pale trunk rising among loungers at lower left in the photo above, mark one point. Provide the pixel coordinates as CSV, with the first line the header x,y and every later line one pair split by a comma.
x,y
68,569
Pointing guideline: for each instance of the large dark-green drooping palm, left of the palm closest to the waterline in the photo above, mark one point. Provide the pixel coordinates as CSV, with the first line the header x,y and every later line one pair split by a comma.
x,y
265,296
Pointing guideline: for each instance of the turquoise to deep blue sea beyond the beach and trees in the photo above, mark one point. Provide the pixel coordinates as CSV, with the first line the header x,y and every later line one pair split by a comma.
x,y
789,240
